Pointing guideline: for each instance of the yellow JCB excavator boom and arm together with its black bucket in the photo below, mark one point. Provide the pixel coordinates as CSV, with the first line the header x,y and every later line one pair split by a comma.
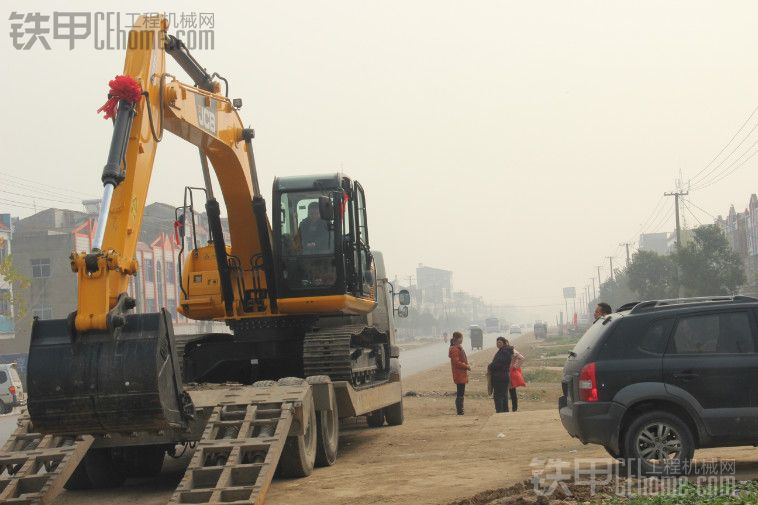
x,y
104,370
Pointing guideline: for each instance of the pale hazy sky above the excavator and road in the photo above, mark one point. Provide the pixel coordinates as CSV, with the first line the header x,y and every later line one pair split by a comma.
x,y
515,143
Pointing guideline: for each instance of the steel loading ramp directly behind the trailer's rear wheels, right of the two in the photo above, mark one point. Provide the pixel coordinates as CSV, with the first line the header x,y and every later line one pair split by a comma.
x,y
236,458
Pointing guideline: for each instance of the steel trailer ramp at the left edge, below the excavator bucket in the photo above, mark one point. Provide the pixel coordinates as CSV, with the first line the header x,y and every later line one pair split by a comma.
x,y
34,467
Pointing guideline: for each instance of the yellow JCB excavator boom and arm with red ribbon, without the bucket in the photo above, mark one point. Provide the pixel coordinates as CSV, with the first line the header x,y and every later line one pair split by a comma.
x,y
200,115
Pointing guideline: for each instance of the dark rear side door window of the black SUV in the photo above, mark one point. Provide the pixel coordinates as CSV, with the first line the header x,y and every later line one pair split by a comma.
x,y
723,333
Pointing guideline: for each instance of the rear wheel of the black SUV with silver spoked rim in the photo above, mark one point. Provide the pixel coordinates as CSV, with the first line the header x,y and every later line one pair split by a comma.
x,y
658,442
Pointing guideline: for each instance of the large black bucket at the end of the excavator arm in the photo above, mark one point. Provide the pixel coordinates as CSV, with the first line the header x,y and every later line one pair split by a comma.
x,y
102,382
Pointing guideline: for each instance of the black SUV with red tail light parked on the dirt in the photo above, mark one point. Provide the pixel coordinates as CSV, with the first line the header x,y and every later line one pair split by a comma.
x,y
658,379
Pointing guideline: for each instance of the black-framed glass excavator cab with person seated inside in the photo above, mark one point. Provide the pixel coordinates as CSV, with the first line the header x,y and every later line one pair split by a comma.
x,y
321,246
